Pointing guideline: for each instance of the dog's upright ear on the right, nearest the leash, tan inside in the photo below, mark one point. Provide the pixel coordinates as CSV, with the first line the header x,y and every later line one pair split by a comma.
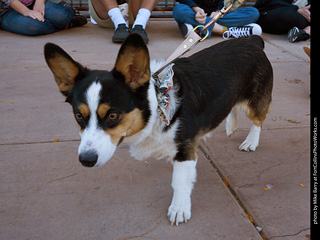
x,y
133,61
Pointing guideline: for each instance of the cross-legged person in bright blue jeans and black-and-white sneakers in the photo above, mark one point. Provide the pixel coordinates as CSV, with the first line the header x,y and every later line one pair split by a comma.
x,y
238,23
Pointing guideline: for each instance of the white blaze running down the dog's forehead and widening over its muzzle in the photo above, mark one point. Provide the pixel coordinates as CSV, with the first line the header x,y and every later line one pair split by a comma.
x,y
94,138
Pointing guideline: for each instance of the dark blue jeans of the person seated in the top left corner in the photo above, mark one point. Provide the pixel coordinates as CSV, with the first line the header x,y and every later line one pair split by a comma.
x,y
57,17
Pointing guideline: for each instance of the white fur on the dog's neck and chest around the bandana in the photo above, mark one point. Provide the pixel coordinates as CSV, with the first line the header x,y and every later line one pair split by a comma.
x,y
152,141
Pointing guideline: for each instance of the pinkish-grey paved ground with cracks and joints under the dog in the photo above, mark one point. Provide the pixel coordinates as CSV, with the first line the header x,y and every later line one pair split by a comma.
x,y
46,194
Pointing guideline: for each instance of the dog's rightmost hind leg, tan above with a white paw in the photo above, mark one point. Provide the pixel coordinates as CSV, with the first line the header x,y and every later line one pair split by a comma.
x,y
257,115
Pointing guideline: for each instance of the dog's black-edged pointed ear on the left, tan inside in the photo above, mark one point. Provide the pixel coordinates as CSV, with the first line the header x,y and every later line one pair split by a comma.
x,y
63,67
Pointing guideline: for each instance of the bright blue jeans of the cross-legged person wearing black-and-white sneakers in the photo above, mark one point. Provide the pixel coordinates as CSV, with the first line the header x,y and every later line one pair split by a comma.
x,y
242,16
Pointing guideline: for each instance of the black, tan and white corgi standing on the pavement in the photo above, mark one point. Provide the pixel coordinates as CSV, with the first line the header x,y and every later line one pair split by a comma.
x,y
121,105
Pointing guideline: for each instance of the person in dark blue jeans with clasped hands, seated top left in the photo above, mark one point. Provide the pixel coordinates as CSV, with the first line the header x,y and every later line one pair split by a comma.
x,y
37,17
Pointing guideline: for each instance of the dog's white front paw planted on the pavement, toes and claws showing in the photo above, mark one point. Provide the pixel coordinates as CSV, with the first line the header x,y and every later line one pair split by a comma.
x,y
179,211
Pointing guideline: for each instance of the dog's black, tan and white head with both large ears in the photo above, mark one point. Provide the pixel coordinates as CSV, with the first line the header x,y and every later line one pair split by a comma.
x,y
107,105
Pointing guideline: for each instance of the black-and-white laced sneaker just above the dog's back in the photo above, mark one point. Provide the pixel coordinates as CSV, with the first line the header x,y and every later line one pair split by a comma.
x,y
245,31
